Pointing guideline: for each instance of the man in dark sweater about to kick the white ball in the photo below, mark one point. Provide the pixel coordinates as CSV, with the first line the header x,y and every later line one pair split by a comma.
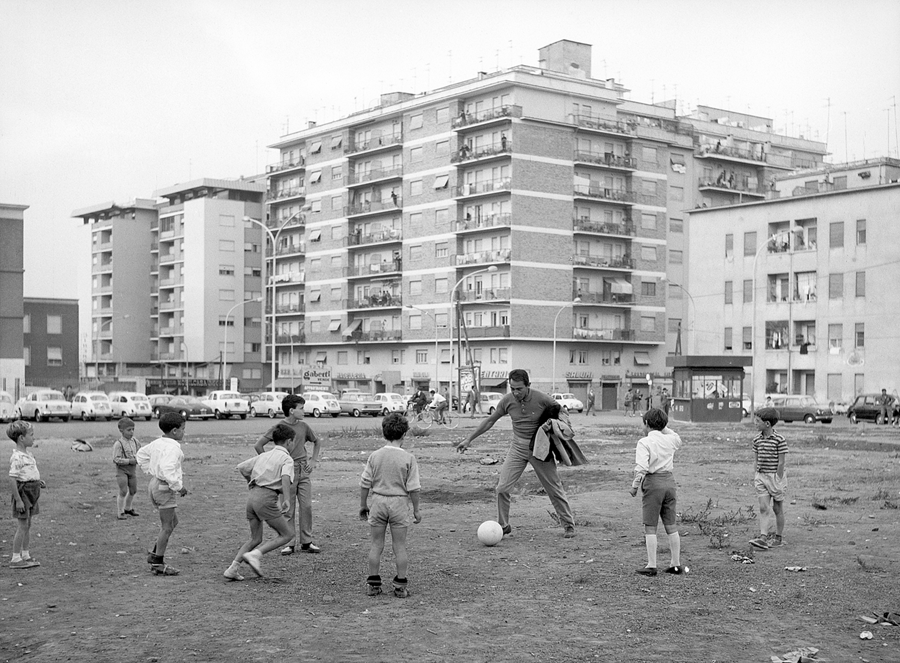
x,y
529,409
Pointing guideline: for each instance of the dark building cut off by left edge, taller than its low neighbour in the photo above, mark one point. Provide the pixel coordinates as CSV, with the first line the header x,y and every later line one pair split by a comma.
x,y
12,270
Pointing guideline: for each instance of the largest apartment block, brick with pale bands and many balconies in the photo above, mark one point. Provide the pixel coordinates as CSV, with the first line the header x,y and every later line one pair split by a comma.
x,y
537,206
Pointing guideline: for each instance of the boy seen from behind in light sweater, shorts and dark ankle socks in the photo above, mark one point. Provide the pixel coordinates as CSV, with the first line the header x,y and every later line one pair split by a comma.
x,y
392,476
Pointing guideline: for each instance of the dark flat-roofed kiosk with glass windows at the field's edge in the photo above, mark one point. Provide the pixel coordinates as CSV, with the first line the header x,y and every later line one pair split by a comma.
x,y
707,387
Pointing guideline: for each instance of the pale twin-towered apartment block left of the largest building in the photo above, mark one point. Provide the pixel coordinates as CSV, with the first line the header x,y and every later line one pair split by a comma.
x,y
176,288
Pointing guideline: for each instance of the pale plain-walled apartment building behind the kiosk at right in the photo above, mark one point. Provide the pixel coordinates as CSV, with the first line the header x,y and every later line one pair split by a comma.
x,y
799,281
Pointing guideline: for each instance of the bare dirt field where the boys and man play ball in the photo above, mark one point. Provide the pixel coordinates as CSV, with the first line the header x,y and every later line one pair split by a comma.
x,y
534,597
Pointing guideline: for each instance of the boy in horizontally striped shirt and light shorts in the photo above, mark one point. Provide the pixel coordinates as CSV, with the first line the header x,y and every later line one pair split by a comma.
x,y
770,482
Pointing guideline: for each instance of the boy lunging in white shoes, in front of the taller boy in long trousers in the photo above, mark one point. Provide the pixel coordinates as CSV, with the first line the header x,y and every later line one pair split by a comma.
x,y
269,476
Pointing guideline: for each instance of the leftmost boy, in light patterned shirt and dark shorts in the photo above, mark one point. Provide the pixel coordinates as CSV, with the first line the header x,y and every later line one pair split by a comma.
x,y
26,490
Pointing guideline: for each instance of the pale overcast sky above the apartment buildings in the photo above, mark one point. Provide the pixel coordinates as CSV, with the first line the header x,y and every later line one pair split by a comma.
x,y
103,100
